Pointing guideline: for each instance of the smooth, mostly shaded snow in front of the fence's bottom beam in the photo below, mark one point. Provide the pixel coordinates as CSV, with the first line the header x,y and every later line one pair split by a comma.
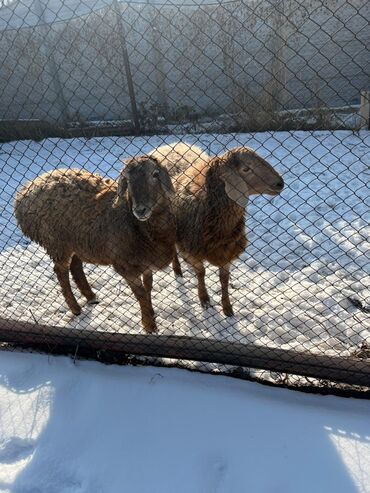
x,y
90,428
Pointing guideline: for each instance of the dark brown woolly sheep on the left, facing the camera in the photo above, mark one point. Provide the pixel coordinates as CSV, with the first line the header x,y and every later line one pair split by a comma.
x,y
80,217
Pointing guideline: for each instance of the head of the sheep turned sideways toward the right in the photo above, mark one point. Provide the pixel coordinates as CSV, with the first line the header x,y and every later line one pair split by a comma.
x,y
245,173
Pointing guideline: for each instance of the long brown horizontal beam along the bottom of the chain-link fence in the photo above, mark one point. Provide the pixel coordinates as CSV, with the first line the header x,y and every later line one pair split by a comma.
x,y
349,370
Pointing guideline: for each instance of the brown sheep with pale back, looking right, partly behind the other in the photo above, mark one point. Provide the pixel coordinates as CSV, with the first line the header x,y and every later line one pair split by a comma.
x,y
210,202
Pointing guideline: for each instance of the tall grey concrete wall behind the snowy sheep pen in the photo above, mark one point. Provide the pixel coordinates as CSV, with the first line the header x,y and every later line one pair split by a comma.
x,y
62,61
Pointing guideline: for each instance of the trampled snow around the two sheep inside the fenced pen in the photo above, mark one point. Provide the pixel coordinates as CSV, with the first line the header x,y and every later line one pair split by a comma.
x,y
308,249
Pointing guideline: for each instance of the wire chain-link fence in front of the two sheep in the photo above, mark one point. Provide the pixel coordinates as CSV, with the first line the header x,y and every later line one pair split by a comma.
x,y
259,114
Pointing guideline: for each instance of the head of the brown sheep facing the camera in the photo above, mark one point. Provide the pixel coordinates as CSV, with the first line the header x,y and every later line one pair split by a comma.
x,y
148,186
